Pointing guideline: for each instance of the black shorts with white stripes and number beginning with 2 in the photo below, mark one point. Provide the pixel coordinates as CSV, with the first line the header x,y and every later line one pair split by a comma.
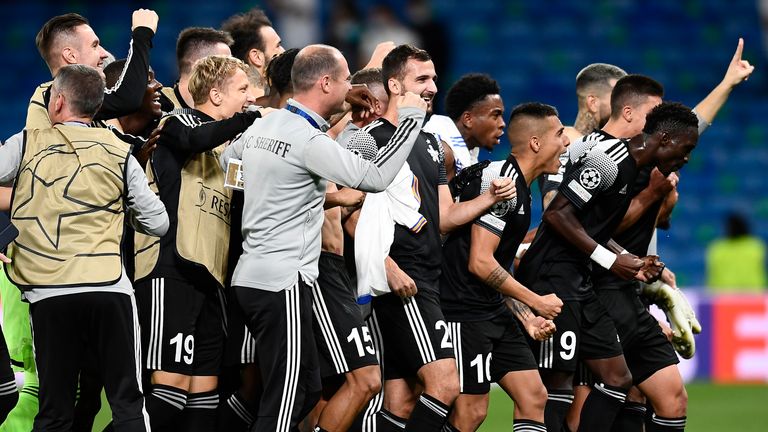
x,y
413,330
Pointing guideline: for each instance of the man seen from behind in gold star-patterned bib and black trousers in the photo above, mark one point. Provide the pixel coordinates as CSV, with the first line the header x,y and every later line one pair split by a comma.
x,y
67,258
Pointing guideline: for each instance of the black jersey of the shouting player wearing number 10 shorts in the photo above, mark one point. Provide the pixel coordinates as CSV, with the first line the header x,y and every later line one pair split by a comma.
x,y
463,297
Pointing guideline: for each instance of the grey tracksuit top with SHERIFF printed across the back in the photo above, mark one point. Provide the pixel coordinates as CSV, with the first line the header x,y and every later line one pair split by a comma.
x,y
286,161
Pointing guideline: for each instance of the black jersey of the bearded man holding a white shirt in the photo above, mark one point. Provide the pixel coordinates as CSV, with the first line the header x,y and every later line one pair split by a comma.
x,y
419,254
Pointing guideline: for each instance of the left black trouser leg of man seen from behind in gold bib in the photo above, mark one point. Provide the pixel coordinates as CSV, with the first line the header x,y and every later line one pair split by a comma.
x,y
57,324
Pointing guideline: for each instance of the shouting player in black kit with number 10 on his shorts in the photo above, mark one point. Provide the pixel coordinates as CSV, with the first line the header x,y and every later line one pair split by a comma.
x,y
488,344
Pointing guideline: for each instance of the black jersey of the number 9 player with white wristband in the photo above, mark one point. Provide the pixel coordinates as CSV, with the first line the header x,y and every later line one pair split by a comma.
x,y
598,185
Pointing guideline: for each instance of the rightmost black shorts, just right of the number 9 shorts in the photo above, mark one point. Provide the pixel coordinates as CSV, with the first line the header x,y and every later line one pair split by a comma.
x,y
646,349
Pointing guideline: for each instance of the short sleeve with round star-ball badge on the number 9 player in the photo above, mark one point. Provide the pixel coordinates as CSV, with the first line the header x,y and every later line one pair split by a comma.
x,y
596,173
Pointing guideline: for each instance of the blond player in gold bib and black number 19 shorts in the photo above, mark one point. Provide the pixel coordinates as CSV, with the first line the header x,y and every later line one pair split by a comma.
x,y
180,276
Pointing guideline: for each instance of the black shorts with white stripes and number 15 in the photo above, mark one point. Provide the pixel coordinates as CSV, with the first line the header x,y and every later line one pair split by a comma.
x,y
343,339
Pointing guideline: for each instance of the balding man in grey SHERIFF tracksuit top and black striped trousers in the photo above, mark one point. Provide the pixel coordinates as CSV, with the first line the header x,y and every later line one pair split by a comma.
x,y
286,159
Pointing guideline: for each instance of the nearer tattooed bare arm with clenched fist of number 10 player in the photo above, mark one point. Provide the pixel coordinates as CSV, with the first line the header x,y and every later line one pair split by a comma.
x,y
484,266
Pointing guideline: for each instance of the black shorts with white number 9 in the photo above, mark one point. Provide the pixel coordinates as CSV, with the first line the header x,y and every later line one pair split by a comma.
x,y
585,331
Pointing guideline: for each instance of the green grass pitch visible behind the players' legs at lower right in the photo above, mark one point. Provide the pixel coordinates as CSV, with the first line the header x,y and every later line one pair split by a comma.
x,y
711,408
